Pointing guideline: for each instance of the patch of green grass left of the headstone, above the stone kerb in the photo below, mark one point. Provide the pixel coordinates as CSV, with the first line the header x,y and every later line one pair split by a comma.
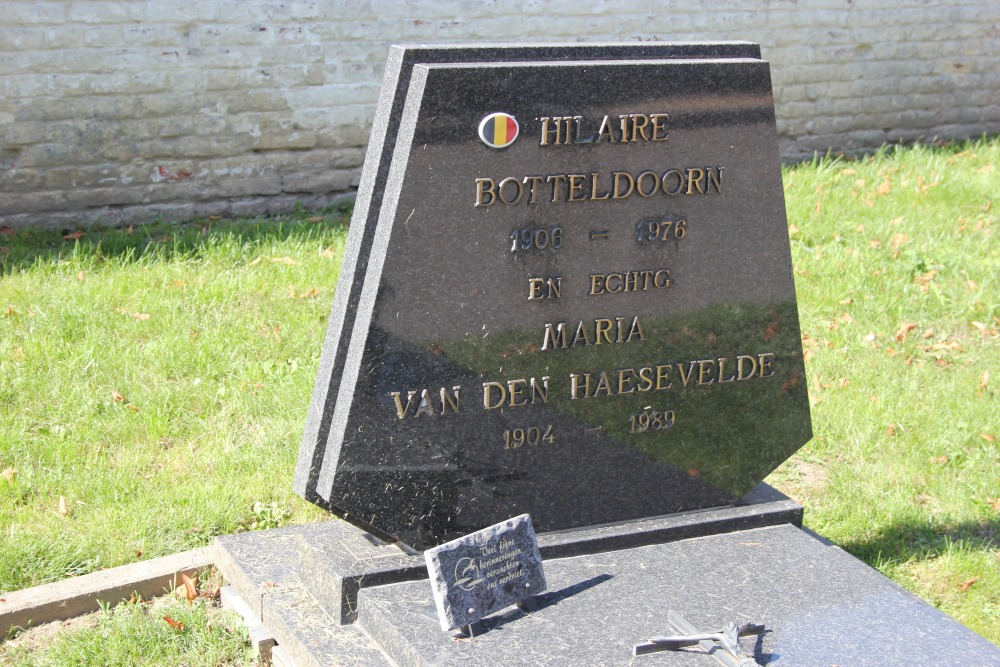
x,y
158,381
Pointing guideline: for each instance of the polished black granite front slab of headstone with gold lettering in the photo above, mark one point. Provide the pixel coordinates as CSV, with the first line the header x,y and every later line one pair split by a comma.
x,y
577,302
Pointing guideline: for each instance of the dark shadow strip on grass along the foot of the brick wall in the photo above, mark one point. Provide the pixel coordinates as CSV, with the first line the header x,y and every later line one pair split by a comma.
x,y
23,248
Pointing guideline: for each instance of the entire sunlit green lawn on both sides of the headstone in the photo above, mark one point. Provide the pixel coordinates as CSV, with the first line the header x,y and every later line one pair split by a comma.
x,y
154,382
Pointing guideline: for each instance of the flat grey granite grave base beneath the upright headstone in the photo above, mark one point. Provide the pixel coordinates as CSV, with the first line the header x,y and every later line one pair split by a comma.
x,y
334,595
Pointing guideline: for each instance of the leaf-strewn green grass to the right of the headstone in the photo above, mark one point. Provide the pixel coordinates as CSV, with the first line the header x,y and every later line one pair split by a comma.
x,y
904,469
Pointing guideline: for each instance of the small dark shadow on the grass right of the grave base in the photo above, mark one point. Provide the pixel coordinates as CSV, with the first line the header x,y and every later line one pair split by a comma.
x,y
917,540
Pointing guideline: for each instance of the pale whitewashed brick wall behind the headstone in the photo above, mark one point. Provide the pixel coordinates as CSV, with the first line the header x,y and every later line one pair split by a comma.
x,y
123,110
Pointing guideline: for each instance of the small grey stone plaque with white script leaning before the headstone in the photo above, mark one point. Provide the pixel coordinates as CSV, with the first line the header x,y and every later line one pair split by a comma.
x,y
485,571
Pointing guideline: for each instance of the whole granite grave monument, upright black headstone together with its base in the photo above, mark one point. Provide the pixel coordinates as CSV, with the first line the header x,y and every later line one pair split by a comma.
x,y
567,292
